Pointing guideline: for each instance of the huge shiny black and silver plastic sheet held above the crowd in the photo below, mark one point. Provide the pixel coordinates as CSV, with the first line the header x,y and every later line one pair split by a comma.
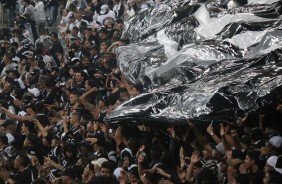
x,y
208,64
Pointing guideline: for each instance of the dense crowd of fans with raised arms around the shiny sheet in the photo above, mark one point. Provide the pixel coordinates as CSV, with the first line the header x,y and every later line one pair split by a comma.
x,y
57,87
